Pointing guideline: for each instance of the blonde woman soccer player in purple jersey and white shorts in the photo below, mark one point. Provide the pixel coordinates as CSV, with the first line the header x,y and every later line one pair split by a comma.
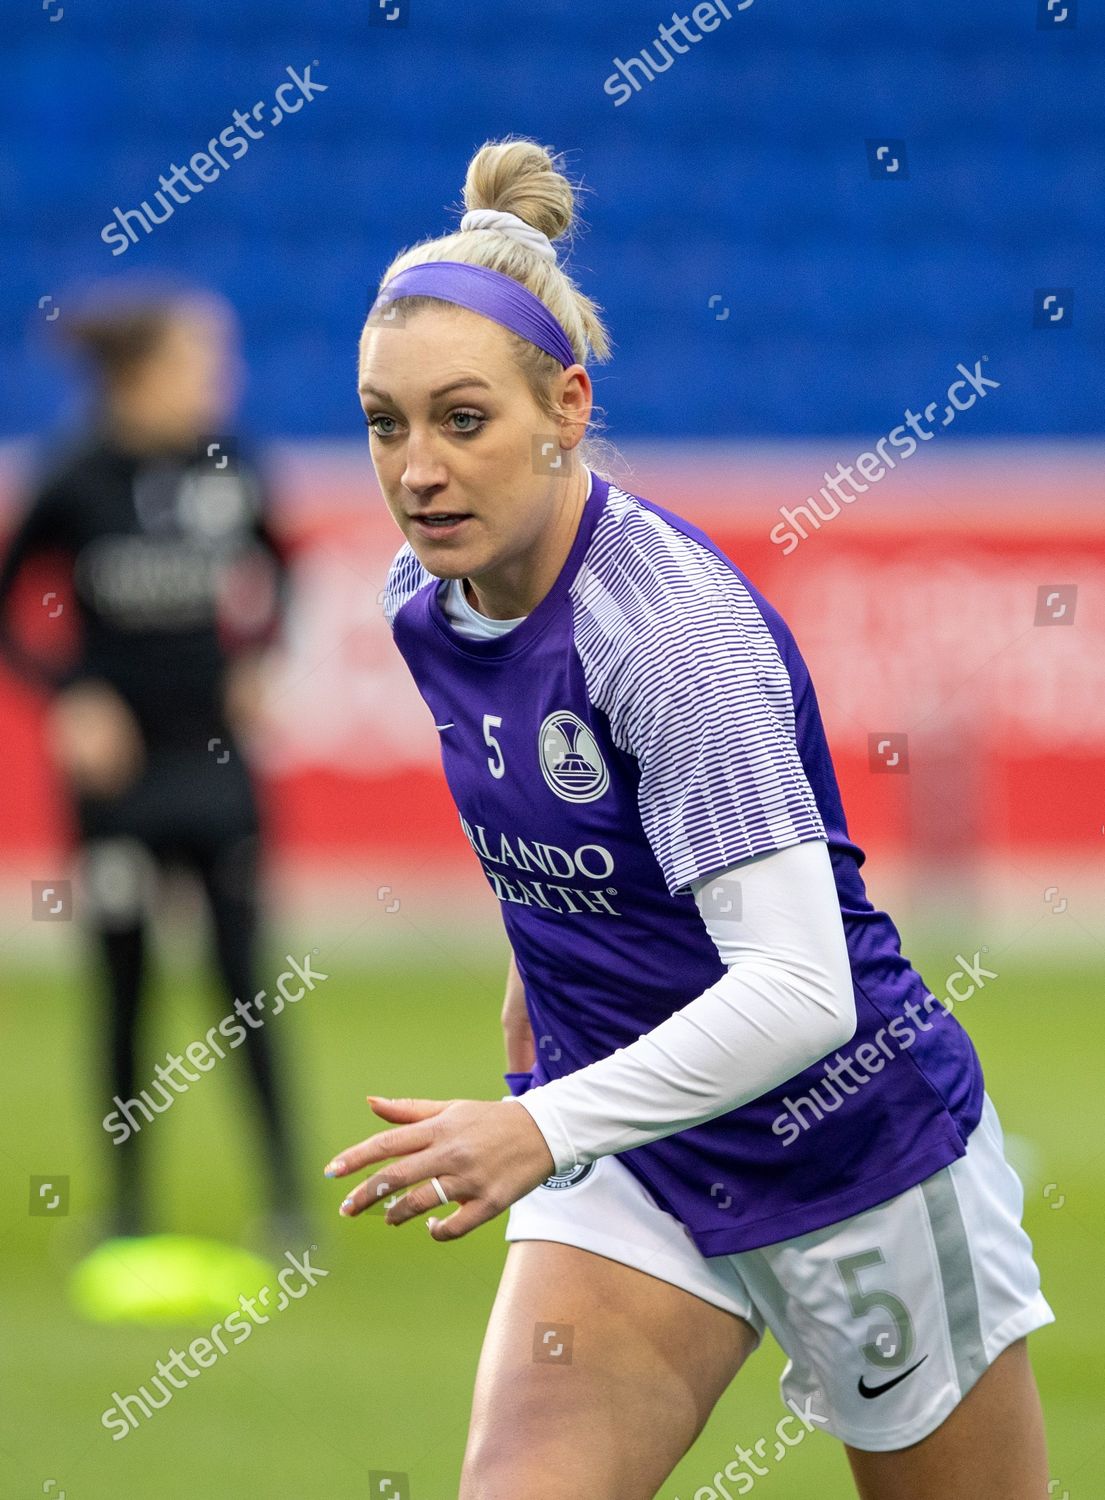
x,y
636,754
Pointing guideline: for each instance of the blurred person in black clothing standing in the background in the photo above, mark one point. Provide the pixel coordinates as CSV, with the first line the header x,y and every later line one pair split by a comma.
x,y
178,587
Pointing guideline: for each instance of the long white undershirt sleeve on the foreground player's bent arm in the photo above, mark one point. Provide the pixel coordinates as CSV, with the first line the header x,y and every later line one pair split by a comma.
x,y
786,1001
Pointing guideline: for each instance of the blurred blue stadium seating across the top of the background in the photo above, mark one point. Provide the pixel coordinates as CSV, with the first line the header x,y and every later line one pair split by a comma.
x,y
738,179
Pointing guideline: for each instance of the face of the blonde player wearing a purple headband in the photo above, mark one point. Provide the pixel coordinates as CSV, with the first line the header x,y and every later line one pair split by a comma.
x,y
467,454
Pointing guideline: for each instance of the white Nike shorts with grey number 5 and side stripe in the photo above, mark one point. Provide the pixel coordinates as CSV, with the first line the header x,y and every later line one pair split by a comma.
x,y
888,1318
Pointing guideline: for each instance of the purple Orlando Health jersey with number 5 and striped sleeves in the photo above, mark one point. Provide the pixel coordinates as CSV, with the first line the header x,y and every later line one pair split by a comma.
x,y
648,724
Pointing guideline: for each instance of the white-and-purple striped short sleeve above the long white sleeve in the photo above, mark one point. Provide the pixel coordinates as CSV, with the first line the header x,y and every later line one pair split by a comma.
x,y
680,659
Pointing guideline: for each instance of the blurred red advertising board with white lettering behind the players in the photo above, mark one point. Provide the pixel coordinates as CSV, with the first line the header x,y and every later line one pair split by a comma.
x,y
953,619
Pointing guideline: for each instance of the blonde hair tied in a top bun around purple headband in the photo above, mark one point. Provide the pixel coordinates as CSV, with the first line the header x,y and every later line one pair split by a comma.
x,y
520,176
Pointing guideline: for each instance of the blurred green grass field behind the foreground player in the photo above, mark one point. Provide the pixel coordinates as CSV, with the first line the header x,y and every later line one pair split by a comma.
x,y
374,1369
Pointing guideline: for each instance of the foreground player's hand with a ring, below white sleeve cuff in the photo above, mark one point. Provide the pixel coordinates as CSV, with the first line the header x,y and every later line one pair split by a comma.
x,y
487,1156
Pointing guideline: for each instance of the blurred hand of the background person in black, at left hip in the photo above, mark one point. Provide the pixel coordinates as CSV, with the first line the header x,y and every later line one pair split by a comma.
x,y
95,739
